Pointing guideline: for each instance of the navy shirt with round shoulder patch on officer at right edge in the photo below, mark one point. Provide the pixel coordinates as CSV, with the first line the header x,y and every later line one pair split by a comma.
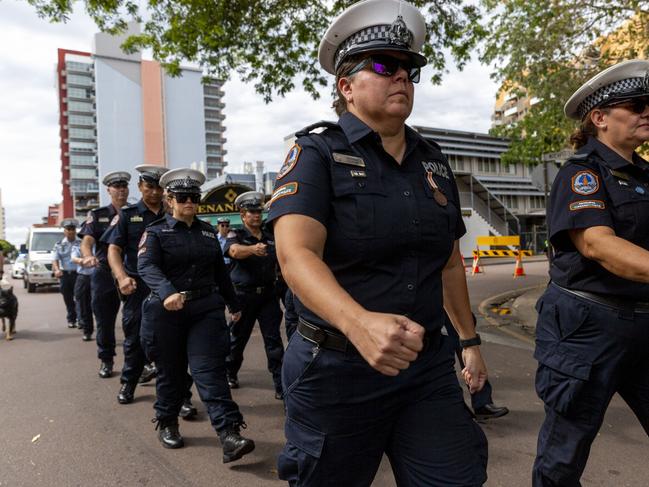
x,y
598,187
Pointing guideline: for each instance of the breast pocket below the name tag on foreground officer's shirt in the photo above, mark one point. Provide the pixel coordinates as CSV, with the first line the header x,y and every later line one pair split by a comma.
x,y
357,205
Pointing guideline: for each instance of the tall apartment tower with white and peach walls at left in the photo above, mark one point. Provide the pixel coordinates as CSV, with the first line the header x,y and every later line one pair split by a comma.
x,y
117,110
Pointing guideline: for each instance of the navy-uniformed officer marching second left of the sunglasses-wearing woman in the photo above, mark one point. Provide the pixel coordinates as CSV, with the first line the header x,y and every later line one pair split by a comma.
x,y
105,300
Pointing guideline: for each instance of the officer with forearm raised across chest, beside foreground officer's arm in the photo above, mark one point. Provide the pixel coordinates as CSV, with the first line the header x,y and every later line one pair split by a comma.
x,y
252,249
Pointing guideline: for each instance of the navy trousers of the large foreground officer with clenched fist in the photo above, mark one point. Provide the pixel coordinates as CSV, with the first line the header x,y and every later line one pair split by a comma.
x,y
342,416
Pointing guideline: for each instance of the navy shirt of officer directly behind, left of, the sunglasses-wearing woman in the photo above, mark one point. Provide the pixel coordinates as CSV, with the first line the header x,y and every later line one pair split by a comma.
x,y
127,228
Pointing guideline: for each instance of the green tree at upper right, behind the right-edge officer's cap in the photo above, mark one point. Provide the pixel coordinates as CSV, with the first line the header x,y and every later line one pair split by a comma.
x,y
548,49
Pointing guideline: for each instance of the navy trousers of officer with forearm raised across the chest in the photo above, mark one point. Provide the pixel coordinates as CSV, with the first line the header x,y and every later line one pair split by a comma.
x,y
265,308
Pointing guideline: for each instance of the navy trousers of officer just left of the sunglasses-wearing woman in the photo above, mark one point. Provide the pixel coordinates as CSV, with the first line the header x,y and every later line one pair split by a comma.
x,y
134,358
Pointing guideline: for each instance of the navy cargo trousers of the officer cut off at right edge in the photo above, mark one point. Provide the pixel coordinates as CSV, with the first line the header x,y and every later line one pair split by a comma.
x,y
586,353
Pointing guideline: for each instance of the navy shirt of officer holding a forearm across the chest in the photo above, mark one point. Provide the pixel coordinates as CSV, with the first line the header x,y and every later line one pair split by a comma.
x,y
253,271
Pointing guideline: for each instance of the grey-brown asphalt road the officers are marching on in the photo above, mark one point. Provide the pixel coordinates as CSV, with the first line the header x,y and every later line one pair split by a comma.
x,y
60,425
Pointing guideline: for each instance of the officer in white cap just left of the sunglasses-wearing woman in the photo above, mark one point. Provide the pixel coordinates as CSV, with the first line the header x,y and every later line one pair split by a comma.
x,y
123,238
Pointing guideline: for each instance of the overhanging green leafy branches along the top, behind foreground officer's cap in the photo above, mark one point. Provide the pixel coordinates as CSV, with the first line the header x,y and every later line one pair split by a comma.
x,y
272,43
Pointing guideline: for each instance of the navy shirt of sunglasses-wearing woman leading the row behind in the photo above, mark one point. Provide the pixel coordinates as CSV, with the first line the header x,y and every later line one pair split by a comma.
x,y
173,257
